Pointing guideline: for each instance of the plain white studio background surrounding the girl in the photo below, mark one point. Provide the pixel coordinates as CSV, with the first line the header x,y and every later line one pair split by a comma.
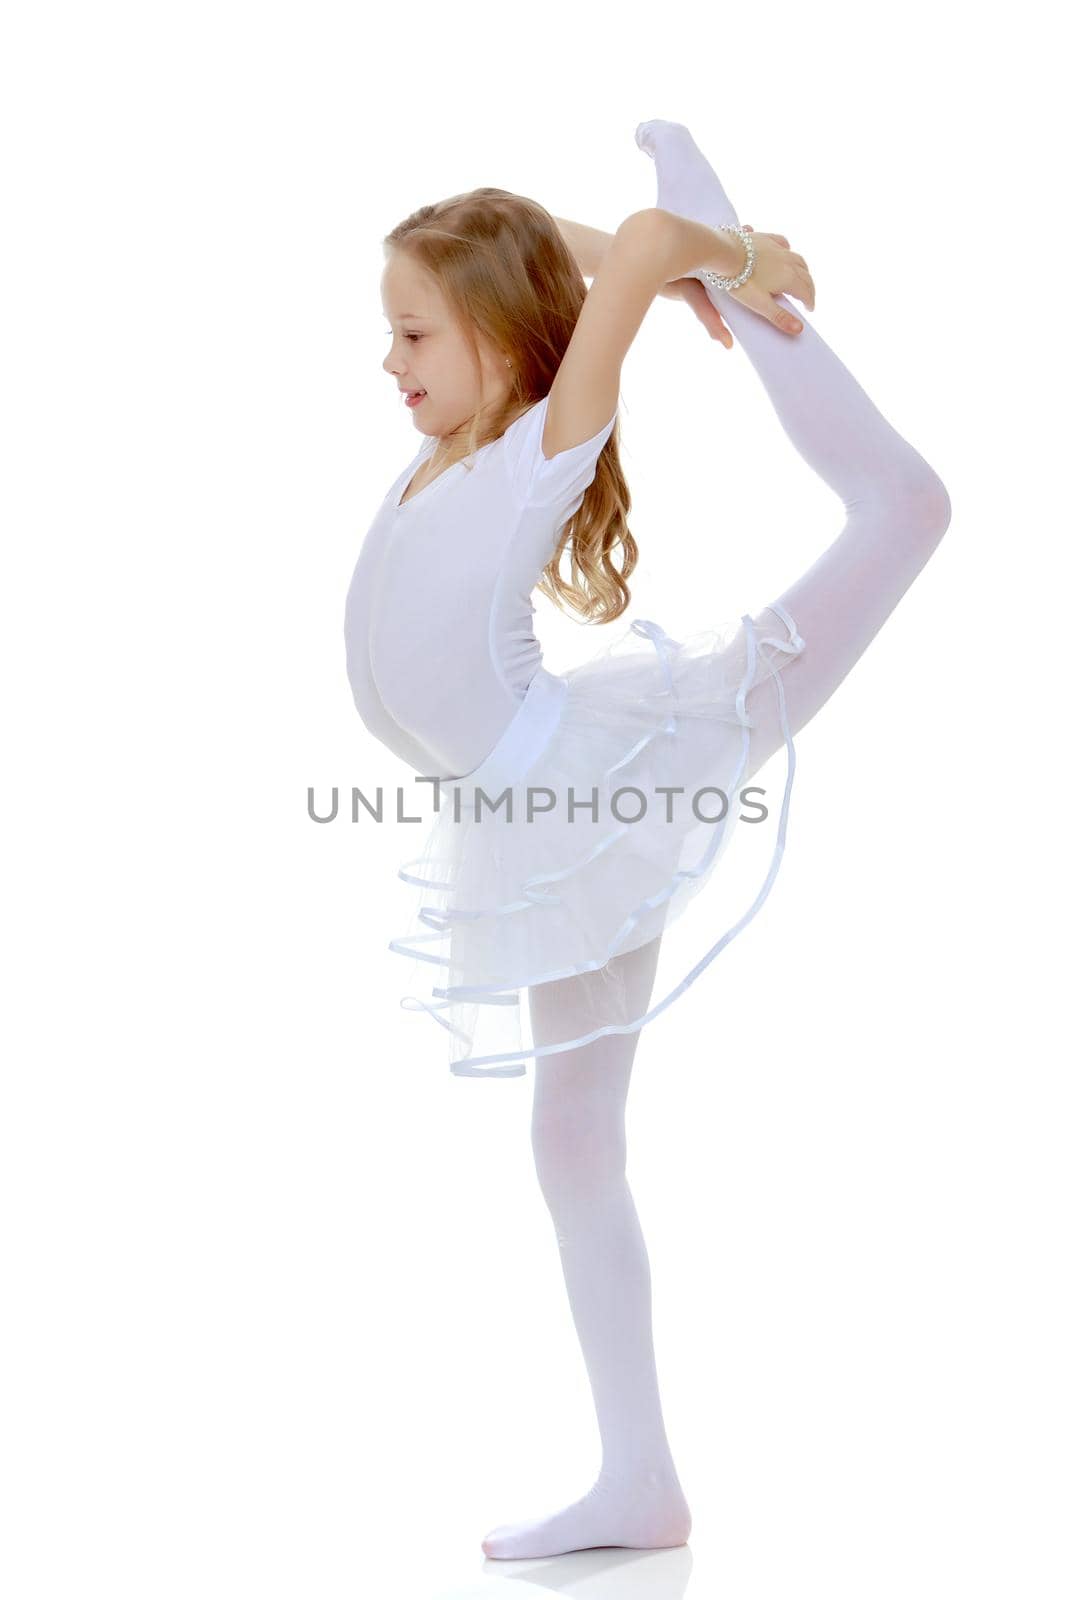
x,y
284,1305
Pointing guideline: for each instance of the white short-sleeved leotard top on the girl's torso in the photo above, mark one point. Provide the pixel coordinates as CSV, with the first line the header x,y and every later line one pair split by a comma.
x,y
439,617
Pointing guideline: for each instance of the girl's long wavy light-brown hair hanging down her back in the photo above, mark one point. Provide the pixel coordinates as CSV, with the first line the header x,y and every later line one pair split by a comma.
x,y
508,274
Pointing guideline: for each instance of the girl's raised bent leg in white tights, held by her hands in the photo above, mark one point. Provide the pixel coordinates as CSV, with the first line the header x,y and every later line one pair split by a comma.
x,y
897,506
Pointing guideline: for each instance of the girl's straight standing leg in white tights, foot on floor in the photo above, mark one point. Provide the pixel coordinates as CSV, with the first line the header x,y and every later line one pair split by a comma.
x,y
580,1153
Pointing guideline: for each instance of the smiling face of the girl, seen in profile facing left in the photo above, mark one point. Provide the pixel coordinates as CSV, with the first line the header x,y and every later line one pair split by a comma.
x,y
426,351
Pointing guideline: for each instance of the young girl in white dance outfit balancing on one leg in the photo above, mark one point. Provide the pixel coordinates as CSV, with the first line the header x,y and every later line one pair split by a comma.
x,y
580,815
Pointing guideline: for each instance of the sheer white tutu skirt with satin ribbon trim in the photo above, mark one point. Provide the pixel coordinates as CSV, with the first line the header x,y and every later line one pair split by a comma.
x,y
562,852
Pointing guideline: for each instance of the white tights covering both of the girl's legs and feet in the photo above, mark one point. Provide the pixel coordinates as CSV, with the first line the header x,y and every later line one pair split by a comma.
x,y
897,513
